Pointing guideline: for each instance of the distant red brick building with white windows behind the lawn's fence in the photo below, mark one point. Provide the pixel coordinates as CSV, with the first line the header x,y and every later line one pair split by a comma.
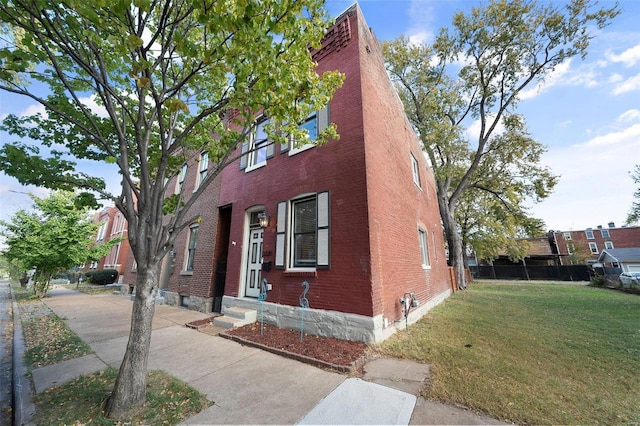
x,y
584,246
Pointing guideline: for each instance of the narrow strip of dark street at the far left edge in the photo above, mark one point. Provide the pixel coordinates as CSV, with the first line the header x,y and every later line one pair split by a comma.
x,y
6,354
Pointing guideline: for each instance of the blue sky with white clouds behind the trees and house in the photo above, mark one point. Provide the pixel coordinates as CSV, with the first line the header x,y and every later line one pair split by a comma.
x,y
587,112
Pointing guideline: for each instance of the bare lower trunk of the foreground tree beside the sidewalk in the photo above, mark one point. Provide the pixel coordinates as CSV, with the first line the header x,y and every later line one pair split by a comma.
x,y
130,391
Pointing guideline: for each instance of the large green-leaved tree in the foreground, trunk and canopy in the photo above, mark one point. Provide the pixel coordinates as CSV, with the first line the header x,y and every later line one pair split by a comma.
x,y
170,79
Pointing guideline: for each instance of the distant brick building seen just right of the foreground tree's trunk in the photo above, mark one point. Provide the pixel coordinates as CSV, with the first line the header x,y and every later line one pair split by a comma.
x,y
112,225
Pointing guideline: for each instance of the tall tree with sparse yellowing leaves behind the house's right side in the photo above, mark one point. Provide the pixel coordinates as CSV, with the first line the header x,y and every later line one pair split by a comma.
x,y
461,95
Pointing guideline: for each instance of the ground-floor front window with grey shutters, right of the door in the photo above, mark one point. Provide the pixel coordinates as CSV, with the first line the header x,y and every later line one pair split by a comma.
x,y
302,233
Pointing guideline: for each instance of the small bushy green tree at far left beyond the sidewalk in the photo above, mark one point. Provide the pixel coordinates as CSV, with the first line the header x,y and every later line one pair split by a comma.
x,y
51,238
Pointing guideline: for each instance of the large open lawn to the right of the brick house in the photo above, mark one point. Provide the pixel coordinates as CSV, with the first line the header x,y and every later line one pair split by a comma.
x,y
533,353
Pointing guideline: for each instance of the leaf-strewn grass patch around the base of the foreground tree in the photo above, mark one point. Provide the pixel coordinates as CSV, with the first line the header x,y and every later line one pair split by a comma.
x,y
169,401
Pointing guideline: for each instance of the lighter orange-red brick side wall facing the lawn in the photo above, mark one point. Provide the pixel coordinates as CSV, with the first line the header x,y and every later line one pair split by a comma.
x,y
397,206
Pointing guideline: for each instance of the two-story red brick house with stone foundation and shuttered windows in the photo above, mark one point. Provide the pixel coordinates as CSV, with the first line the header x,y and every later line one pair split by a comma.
x,y
356,219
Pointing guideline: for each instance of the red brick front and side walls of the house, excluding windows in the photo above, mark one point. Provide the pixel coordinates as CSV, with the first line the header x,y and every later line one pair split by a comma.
x,y
375,206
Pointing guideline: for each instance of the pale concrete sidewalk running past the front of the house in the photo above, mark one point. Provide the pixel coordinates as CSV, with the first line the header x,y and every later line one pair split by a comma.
x,y
247,385
